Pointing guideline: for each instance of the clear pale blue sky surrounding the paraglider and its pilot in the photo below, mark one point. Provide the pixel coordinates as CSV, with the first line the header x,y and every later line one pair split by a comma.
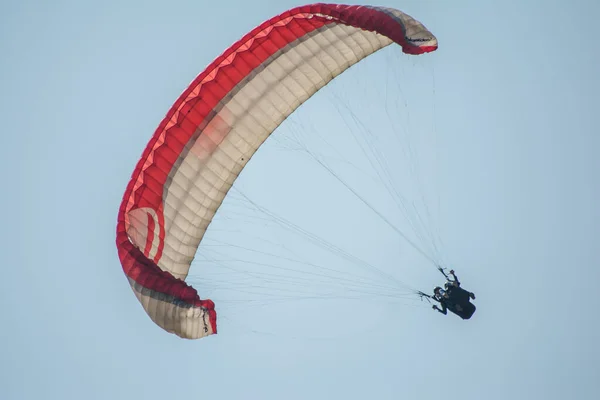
x,y
501,123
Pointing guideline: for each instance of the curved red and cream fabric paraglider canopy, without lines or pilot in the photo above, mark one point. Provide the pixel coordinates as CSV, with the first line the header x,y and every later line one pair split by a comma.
x,y
216,126
